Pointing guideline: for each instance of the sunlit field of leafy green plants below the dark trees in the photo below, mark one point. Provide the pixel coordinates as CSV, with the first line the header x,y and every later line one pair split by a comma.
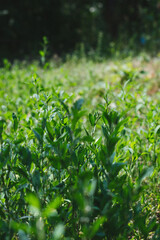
x,y
80,149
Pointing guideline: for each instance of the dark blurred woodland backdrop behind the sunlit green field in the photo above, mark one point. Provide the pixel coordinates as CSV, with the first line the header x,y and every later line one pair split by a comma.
x,y
66,24
